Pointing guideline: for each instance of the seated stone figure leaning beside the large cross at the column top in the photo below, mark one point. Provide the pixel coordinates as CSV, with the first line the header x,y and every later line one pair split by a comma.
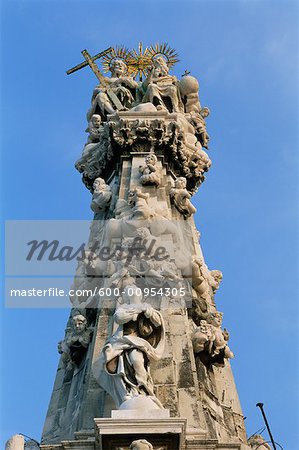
x,y
119,89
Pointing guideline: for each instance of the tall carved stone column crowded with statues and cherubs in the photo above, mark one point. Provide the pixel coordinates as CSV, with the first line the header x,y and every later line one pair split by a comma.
x,y
145,361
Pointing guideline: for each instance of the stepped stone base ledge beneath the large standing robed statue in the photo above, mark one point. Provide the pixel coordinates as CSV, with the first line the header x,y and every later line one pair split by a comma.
x,y
162,433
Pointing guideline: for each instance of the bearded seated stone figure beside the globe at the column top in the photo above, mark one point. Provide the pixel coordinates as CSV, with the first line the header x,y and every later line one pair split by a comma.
x,y
160,88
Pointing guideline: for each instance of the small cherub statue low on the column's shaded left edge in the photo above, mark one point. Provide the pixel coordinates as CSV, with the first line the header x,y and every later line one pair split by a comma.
x,y
76,341
